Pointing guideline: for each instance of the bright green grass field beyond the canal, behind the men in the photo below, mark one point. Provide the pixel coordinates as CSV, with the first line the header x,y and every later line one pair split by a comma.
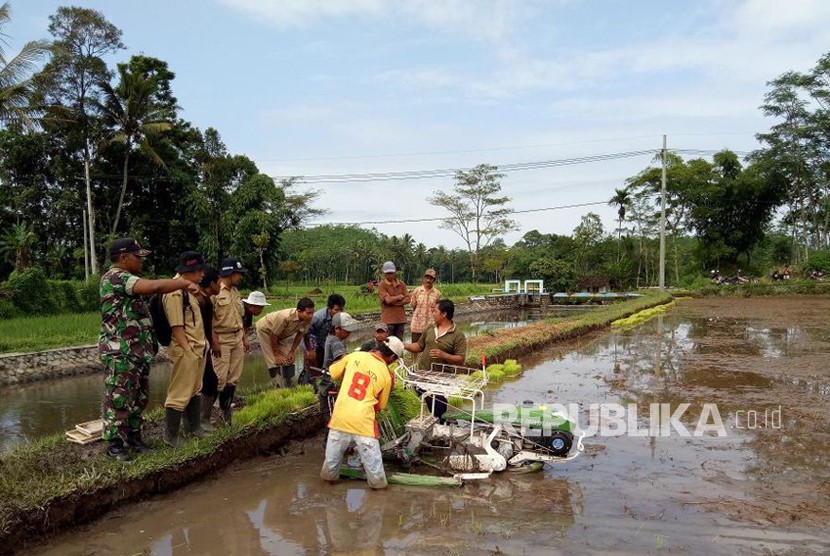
x,y
29,334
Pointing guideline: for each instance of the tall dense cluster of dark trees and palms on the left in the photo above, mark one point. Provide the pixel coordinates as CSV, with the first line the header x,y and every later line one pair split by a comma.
x,y
84,142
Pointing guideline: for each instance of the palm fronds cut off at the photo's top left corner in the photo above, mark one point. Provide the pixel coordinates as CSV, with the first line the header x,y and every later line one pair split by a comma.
x,y
16,76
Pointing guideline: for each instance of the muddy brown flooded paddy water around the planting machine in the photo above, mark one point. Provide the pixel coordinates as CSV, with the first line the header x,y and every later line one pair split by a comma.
x,y
763,487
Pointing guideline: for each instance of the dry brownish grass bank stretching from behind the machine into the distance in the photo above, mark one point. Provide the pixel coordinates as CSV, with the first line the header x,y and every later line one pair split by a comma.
x,y
512,343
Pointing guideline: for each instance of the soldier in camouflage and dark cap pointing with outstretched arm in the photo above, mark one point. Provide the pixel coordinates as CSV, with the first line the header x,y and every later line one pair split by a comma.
x,y
127,345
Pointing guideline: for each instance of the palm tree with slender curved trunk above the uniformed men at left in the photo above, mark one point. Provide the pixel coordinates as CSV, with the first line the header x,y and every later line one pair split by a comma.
x,y
136,120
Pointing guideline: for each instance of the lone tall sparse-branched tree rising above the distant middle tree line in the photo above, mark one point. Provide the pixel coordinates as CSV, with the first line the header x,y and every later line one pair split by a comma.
x,y
477,213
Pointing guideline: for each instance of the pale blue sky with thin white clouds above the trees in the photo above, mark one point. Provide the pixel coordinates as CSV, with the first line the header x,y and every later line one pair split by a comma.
x,y
332,87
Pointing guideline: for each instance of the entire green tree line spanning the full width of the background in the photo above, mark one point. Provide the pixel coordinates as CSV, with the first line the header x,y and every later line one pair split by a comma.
x,y
91,152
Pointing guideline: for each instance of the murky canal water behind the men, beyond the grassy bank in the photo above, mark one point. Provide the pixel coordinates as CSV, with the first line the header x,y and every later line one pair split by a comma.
x,y
42,408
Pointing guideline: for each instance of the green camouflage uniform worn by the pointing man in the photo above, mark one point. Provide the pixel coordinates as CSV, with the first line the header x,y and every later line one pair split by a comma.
x,y
126,345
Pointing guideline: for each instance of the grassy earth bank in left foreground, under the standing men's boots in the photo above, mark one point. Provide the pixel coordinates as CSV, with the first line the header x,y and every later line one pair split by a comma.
x,y
49,484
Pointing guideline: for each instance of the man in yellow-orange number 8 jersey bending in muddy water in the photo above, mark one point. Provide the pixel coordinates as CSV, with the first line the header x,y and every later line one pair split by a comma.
x,y
366,383
